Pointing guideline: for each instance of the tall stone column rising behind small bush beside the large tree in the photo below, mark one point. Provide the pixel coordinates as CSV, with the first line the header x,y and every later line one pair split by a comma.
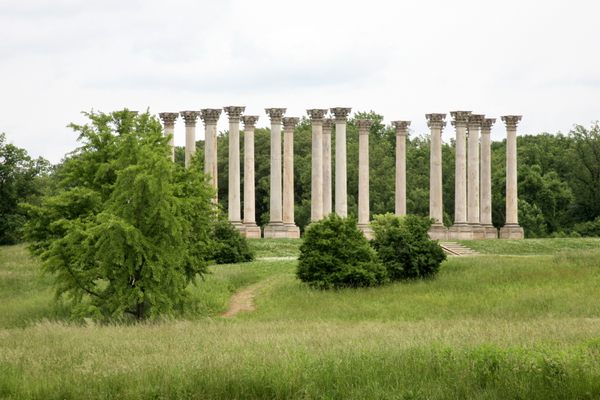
x,y
234,195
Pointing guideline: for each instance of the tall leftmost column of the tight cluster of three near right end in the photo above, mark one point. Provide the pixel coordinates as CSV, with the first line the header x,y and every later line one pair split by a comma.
x,y
460,229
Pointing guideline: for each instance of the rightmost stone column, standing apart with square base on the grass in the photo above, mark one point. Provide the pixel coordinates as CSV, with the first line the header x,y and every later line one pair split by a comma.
x,y
511,229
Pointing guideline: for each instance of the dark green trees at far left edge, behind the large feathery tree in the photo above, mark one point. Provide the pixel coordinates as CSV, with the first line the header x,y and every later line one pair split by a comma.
x,y
21,179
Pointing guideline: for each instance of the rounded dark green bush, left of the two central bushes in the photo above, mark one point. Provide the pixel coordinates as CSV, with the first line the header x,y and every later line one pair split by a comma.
x,y
336,254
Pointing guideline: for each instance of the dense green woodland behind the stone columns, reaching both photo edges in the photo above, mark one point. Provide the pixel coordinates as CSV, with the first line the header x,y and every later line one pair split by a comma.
x,y
559,177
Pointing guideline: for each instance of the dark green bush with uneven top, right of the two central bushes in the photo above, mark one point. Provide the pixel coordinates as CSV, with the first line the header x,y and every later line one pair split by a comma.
x,y
404,247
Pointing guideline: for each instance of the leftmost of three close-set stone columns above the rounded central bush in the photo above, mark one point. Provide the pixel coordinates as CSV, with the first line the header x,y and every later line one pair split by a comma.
x,y
316,197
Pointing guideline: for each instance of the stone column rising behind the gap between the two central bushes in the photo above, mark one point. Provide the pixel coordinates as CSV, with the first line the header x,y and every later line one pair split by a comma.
x,y
363,177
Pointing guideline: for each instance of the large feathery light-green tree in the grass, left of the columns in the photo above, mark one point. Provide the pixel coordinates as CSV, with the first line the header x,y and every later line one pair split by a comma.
x,y
129,229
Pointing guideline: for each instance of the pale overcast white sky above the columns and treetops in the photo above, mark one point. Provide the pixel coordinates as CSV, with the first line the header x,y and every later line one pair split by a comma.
x,y
399,58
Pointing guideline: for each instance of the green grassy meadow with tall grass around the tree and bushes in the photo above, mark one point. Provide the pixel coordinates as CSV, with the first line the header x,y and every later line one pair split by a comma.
x,y
520,321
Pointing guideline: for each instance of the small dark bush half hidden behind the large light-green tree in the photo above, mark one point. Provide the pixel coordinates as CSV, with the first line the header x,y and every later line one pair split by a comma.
x,y
230,246
